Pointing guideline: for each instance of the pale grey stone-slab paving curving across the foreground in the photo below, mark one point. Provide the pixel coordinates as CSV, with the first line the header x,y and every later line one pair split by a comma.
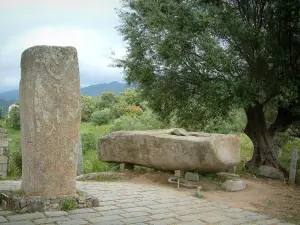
x,y
125,203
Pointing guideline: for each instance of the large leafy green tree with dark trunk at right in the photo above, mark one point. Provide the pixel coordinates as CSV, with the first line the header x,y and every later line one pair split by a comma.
x,y
200,59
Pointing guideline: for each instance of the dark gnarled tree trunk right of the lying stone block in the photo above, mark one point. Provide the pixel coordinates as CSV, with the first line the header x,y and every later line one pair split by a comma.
x,y
256,129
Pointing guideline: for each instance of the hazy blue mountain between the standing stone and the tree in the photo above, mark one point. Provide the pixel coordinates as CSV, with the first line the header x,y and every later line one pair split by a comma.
x,y
98,89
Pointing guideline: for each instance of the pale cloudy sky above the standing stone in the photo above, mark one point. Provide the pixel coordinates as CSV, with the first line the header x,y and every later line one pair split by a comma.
x,y
88,25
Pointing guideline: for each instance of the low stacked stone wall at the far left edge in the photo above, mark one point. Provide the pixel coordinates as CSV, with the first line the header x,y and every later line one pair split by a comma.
x,y
3,153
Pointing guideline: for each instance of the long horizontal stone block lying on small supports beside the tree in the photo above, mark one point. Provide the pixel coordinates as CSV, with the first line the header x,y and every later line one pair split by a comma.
x,y
159,149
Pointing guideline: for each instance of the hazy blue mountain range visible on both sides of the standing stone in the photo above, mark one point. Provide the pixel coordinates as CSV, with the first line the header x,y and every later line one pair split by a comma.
x,y
10,97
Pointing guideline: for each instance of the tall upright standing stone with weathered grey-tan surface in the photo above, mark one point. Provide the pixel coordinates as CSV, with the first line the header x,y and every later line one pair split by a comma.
x,y
50,119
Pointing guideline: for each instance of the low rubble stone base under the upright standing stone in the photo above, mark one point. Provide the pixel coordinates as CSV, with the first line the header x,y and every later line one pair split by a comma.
x,y
13,201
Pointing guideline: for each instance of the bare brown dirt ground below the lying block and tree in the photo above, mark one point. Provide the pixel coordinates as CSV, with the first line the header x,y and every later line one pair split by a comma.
x,y
269,197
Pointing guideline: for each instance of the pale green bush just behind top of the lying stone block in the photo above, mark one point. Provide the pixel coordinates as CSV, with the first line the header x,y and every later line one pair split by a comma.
x,y
147,121
